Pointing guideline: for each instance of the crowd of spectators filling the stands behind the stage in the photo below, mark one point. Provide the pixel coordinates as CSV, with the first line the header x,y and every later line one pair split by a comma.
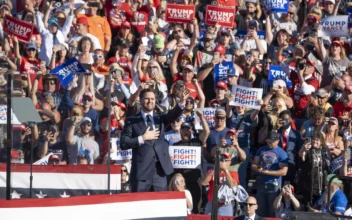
x,y
292,145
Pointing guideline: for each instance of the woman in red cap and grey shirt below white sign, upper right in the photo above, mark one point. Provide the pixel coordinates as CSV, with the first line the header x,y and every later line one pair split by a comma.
x,y
335,62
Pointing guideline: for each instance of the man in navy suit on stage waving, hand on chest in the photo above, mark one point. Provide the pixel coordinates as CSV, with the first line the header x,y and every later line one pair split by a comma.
x,y
144,134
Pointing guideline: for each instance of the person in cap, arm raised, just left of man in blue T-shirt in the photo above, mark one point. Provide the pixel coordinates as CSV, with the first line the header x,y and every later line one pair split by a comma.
x,y
230,145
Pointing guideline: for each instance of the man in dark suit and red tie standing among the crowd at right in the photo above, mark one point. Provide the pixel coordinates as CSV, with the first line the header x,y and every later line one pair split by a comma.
x,y
290,142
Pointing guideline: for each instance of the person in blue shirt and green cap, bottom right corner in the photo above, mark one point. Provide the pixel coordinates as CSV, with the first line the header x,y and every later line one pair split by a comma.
x,y
338,200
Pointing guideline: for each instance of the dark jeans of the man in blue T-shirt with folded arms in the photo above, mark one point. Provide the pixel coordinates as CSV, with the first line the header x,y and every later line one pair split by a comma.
x,y
265,202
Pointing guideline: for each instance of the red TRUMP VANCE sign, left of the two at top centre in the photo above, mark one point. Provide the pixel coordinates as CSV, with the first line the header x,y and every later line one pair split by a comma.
x,y
180,13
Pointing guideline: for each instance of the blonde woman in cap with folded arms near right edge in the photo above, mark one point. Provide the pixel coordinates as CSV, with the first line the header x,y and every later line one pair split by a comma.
x,y
332,140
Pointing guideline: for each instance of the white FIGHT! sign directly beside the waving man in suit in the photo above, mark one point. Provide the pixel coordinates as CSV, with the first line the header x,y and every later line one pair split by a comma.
x,y
185,157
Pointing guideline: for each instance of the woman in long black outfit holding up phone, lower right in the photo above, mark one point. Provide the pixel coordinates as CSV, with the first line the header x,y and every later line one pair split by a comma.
x,y
315,157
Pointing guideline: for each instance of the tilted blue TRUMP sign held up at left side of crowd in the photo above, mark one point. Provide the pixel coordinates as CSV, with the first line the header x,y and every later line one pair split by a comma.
x,y
66,71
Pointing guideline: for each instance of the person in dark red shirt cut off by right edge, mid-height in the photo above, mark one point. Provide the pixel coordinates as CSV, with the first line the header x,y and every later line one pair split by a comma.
x,y
343,109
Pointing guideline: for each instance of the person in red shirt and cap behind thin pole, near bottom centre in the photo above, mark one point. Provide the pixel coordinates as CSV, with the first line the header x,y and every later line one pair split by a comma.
x,y
227,177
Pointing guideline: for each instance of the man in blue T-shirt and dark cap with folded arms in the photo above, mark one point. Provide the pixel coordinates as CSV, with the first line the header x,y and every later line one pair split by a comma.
x,y
270,162
